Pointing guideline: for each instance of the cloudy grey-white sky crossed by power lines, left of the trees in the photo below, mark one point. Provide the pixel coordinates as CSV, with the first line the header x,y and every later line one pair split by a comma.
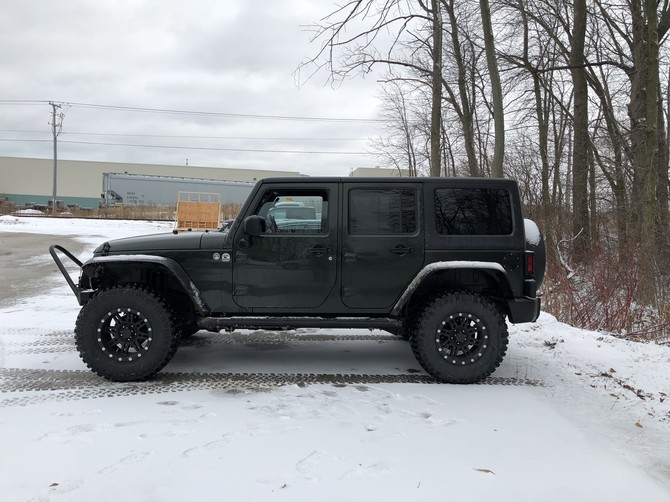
x,y
226,57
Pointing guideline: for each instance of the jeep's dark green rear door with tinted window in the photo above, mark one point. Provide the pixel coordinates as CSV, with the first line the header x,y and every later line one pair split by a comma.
x,y
382,241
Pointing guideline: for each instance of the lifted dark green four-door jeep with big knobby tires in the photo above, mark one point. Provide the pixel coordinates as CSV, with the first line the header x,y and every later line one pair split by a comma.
x,y
439,261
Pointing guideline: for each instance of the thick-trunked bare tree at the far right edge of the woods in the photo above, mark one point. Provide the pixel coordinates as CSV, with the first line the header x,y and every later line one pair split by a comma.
x,y
637,28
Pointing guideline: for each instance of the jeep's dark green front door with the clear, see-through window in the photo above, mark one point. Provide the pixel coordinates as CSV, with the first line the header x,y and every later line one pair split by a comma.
x,y
292,263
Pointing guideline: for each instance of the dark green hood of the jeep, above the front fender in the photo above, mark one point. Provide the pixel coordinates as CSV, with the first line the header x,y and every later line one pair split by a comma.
x,y
151,243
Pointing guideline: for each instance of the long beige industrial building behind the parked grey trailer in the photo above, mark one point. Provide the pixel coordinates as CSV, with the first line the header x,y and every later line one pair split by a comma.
x,y
26,181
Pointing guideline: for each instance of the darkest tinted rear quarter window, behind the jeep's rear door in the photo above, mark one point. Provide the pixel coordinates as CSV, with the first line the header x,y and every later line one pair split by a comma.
x,y
473,211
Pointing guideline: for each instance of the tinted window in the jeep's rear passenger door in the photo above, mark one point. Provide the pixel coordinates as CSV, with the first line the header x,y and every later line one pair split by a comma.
x,y
382,211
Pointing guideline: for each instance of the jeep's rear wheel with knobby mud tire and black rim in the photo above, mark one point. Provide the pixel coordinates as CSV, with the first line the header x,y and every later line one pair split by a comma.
x,y
460,338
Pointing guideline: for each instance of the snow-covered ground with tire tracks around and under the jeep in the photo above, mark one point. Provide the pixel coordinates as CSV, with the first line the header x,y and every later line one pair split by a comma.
x,y
587,416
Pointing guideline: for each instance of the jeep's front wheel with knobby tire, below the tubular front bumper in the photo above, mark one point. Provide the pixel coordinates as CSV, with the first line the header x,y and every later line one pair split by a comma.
x,y
126,334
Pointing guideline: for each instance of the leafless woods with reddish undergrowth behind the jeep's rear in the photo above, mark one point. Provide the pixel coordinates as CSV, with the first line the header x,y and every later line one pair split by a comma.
x,y
568,97
